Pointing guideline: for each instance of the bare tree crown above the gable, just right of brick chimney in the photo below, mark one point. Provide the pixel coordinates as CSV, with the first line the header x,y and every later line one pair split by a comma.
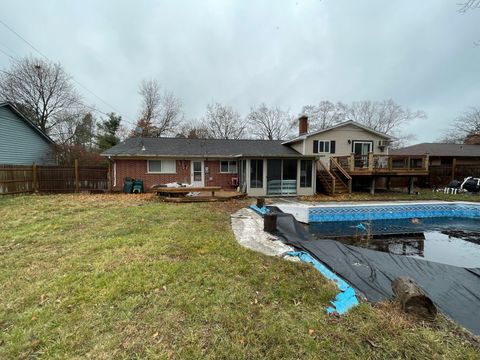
x,y
324,114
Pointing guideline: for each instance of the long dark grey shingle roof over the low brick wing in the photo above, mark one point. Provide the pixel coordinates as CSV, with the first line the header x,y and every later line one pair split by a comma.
x,y
181,147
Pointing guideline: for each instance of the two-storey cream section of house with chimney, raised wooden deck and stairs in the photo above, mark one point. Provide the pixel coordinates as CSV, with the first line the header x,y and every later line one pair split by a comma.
x,y
351,155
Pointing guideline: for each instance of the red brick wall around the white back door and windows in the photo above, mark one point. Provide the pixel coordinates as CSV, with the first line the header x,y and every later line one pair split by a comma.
x,y
137,169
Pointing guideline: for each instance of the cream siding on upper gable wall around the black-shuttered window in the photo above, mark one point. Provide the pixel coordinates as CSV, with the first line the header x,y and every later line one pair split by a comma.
x,y
341,136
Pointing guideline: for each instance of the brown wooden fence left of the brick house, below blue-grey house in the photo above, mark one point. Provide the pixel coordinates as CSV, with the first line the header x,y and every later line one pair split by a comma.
x,y
19,179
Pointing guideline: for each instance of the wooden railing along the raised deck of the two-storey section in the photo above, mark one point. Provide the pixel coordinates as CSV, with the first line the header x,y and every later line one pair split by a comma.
x,y
382,163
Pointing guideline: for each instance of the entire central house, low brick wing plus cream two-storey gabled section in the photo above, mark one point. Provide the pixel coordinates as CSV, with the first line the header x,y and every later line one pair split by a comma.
x,y
259,167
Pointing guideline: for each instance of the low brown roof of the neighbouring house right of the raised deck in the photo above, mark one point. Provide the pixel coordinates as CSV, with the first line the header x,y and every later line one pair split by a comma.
x,y
439,149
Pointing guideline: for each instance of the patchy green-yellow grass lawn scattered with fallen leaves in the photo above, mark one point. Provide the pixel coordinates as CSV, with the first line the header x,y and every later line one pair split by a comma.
x,y
115,276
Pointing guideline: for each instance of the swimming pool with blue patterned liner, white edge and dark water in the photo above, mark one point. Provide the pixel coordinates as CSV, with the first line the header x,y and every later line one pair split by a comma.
x,y
445,232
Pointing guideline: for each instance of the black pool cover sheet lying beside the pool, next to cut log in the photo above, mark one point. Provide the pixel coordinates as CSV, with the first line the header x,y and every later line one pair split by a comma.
x,y
454,290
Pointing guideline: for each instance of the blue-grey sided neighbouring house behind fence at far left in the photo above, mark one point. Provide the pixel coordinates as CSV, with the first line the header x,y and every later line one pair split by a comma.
x,y
21,141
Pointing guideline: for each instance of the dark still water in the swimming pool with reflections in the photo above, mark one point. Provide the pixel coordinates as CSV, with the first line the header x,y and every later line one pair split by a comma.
x,y
453,241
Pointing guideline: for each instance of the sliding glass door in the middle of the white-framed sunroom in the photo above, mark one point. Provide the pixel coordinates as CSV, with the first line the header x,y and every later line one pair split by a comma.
x,y
281,177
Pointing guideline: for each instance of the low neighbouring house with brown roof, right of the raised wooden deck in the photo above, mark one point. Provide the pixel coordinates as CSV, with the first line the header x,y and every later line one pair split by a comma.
x,y
446,161
